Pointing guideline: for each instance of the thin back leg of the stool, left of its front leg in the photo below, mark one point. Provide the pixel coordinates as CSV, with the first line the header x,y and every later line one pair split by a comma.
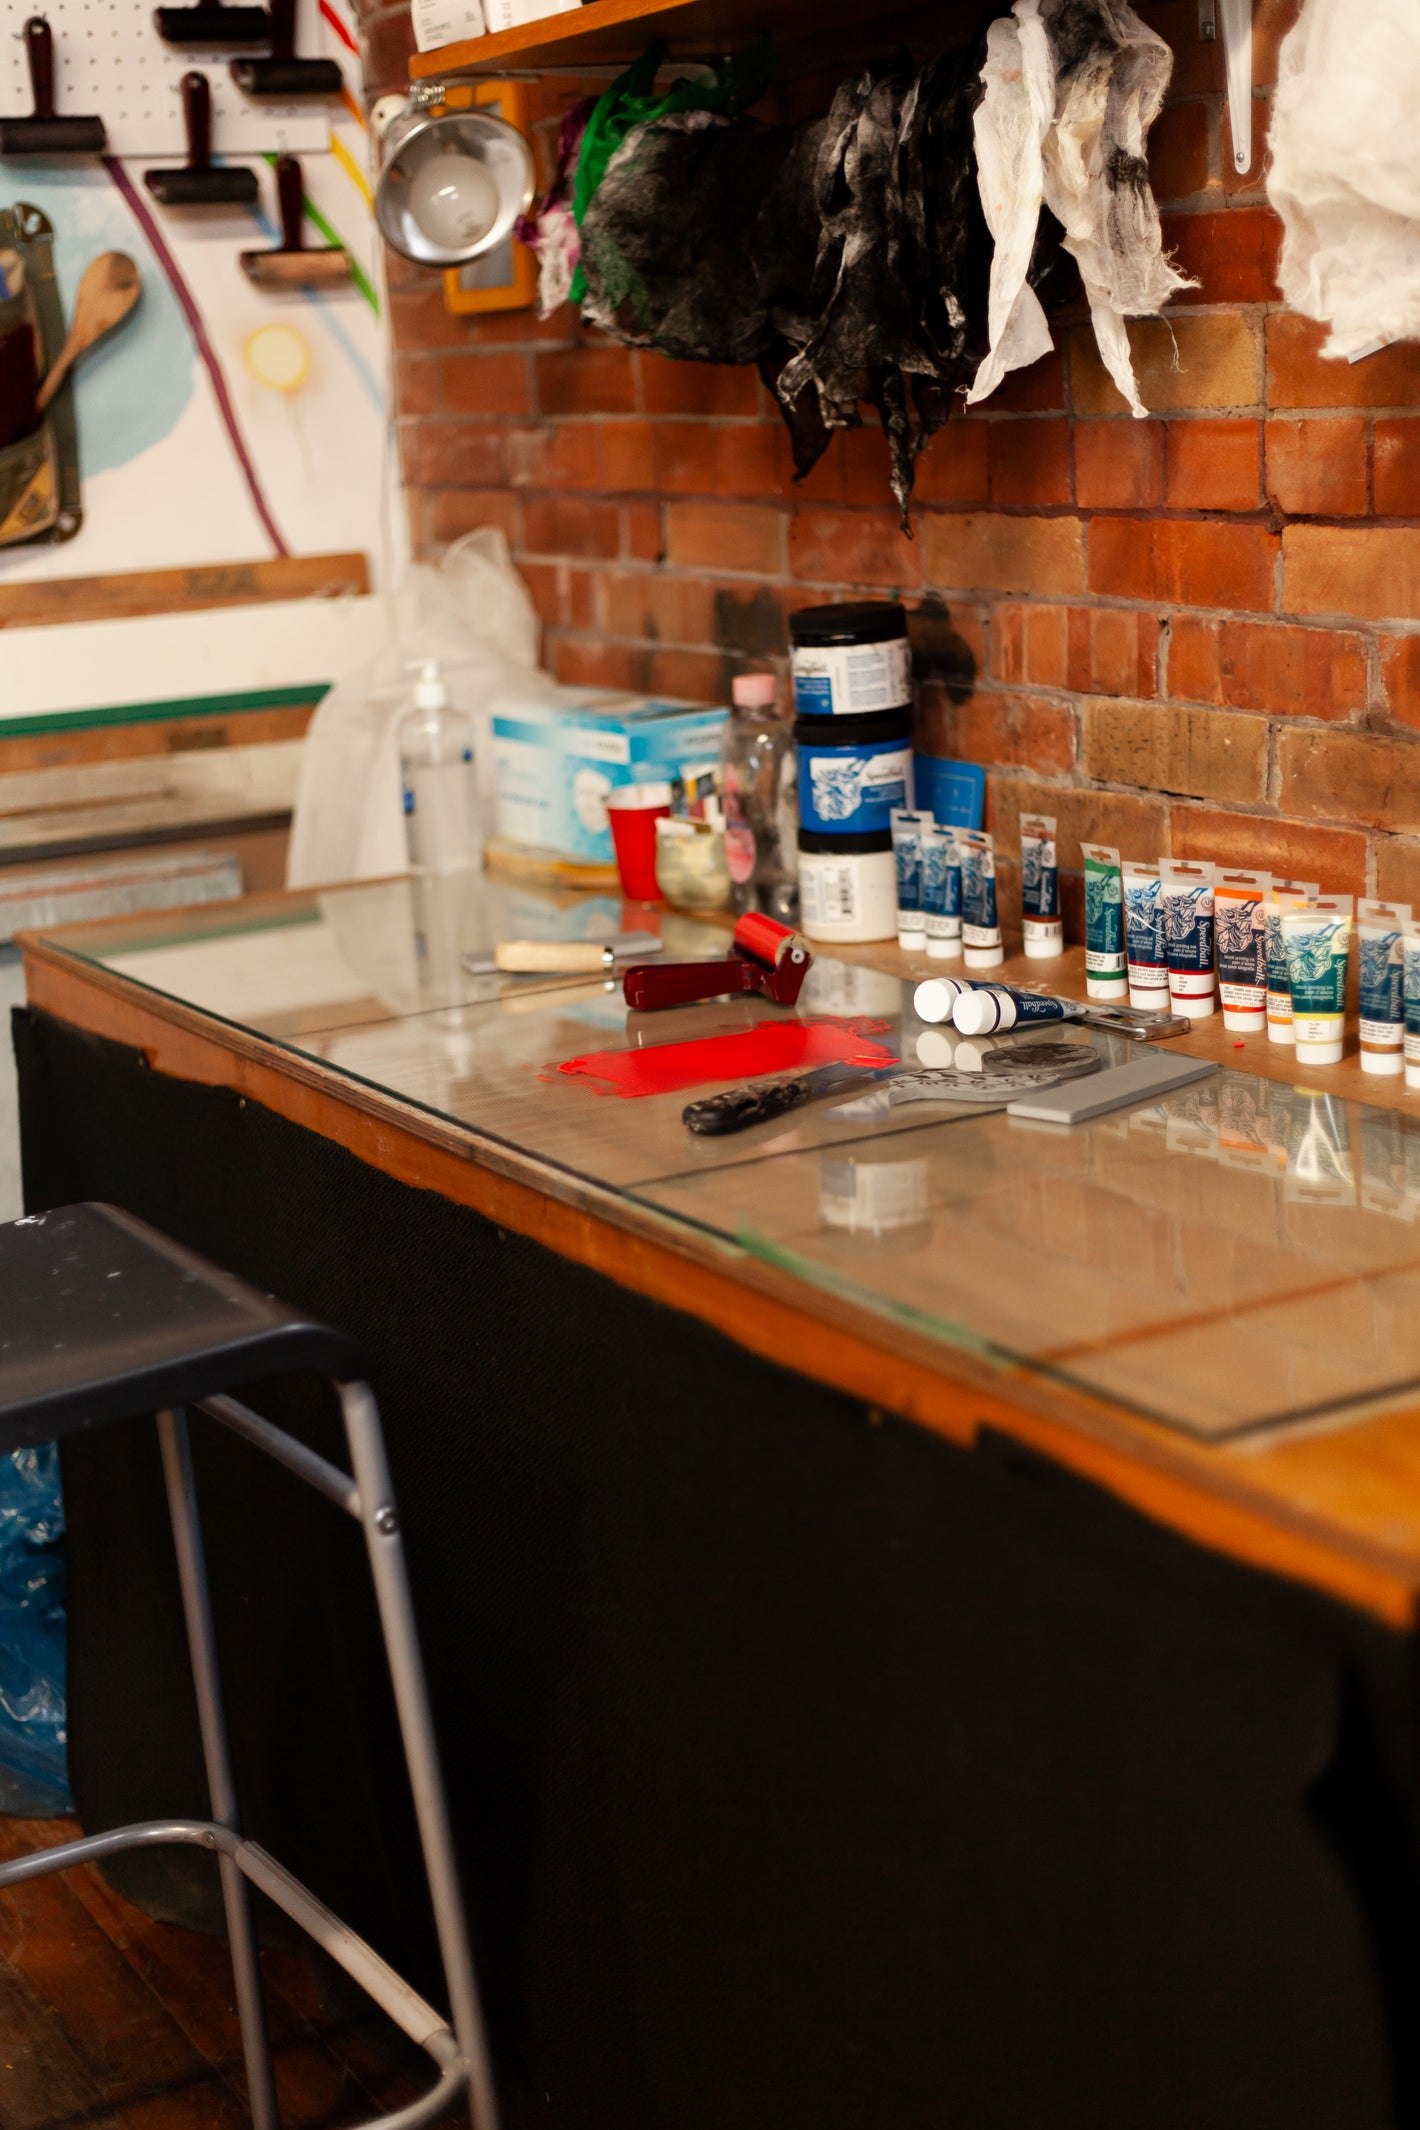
x,y
218,1756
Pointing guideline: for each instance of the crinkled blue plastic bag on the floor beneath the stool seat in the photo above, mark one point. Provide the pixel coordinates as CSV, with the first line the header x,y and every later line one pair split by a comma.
x,y
33,1763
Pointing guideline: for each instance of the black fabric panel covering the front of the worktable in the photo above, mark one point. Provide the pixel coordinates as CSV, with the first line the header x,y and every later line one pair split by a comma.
x,y
810,1773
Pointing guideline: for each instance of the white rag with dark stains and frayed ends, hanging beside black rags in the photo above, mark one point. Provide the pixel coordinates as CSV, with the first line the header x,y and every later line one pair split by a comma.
x,y
1070,95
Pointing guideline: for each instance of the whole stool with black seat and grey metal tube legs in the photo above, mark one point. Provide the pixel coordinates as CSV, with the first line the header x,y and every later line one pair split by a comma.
x,y
101,1320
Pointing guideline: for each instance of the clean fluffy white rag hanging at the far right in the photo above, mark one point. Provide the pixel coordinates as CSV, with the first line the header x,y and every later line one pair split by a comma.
x,y
1344,171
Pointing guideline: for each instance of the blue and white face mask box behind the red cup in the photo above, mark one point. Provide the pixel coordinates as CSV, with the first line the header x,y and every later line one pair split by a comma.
x,y
555,766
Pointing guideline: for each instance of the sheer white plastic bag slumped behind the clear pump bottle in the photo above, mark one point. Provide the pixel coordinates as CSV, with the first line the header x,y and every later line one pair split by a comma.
x,y
474,615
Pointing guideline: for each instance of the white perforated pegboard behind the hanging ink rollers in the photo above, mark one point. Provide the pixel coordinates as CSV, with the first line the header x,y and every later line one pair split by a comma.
x,y
112,65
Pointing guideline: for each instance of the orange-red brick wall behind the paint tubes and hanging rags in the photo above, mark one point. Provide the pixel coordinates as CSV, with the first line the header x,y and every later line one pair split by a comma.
x,y
1193,634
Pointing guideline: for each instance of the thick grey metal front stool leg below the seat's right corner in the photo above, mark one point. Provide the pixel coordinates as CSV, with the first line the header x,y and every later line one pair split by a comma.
x,y
397,1618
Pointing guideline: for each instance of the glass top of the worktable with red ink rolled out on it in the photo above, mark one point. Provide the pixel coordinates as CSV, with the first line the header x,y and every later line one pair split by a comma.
x,y
1238,1256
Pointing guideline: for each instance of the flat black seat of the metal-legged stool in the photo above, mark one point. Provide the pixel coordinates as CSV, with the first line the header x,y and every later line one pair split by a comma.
x,y
101,1320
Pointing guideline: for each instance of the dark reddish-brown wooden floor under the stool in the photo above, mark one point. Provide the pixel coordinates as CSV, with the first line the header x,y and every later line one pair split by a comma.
x,y
114,2022
